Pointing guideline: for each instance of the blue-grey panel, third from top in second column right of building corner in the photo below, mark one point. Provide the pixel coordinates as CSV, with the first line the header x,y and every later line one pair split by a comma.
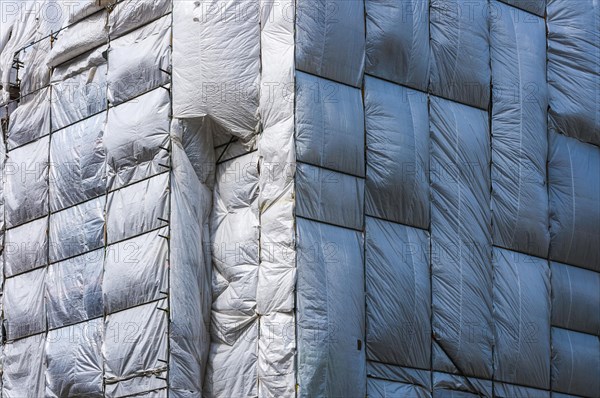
x,y
398,292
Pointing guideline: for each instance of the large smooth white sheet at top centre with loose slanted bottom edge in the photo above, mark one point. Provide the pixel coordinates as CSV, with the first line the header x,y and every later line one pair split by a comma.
x,y
216,63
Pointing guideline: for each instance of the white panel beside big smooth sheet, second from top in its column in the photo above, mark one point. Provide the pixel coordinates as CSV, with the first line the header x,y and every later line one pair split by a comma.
x,y
139,61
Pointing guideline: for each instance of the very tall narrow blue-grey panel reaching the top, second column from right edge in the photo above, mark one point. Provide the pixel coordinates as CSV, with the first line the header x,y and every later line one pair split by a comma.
x,y
519,130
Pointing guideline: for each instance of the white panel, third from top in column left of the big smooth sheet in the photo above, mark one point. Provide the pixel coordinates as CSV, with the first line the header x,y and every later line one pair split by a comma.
x,y
136,139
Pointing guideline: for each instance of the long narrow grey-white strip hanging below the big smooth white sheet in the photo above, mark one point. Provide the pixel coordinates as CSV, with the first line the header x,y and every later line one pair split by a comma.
x,y
190,311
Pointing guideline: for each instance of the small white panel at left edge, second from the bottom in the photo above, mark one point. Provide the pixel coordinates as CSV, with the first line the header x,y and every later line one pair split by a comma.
x,y
24,312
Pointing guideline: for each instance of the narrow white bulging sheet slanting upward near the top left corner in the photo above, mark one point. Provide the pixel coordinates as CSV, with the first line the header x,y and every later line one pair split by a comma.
x,y
78,38
